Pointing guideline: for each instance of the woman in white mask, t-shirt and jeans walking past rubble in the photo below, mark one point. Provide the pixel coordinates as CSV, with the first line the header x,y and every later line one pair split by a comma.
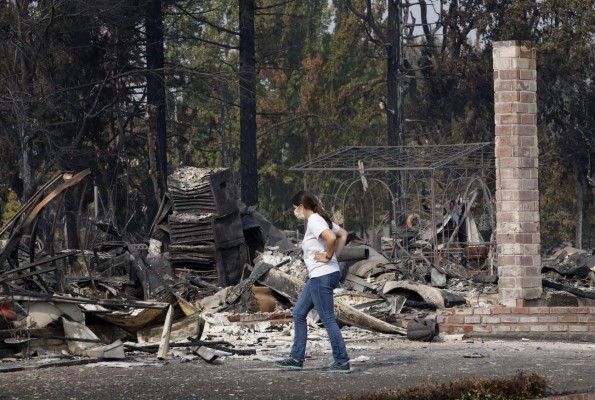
x,y
323,242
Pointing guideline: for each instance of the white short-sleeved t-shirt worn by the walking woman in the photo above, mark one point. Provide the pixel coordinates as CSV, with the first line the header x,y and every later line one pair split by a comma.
x,y
313,243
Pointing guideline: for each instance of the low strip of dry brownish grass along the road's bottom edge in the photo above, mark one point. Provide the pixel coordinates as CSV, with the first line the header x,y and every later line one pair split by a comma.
x,y
519,387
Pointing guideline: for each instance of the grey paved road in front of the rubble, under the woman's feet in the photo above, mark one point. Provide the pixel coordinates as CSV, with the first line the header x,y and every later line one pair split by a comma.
x,y
391,364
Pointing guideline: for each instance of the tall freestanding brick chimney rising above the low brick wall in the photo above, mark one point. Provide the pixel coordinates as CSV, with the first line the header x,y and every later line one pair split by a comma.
x,y
517,195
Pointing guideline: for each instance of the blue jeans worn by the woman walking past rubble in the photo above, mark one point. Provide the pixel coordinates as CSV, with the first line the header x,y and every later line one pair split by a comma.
x,y
318,293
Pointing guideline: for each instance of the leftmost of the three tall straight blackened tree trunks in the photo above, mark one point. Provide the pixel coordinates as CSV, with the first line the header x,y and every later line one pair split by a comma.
x,y
156,105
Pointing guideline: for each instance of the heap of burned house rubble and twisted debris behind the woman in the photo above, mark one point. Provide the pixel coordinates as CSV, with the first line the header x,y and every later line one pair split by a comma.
x,y
216,279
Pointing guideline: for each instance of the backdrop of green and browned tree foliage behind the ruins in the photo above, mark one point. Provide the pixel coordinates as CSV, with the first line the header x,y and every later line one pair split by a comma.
x,y
321,83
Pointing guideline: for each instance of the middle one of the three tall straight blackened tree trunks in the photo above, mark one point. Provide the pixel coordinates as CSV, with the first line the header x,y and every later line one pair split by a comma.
x,y
248,152
